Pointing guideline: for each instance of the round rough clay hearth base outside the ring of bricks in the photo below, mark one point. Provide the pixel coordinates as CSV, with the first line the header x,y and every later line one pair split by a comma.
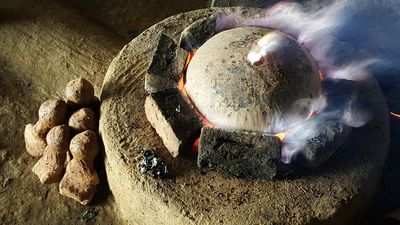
x,y
332,194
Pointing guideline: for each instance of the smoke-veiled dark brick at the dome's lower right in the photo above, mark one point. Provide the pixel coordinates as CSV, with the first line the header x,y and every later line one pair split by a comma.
x,y
322,145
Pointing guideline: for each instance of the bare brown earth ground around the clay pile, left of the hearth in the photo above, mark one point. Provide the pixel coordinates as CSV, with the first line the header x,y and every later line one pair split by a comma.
x,y
43,45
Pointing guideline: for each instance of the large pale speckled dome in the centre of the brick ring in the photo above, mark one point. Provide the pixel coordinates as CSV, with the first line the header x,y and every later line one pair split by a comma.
x,y
232,93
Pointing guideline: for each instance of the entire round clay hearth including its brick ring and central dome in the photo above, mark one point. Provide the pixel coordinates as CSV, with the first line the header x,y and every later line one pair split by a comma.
x,y
256,161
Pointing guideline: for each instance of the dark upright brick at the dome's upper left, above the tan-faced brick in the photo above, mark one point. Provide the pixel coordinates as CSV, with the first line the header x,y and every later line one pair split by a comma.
x,y
166,66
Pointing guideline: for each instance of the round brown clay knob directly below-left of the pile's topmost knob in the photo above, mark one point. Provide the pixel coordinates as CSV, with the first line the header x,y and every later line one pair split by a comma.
x,y
52,112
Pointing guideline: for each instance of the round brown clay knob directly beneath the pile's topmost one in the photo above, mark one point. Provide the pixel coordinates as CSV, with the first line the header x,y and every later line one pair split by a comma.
x,y
83,119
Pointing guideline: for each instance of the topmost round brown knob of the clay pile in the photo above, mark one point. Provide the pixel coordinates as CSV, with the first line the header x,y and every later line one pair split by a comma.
x,y
79,91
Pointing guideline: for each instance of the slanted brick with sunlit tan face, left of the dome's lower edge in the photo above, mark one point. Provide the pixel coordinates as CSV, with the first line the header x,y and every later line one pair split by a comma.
x,y
177,128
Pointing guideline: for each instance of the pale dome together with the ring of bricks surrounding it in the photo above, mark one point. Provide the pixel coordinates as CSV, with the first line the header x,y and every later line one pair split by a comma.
x,y
206,94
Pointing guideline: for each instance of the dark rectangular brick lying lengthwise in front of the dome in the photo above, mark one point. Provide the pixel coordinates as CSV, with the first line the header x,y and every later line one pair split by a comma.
x,y
240,154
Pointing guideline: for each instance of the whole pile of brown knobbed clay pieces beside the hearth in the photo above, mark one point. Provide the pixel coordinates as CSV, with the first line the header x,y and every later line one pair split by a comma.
x,y
66,141
